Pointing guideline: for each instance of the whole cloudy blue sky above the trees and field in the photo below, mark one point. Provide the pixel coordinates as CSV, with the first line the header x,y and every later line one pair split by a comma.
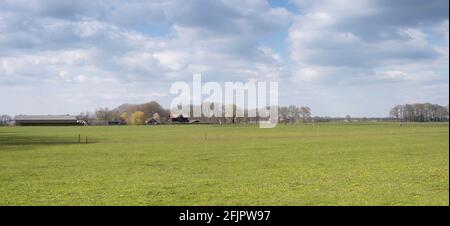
x,y
337,56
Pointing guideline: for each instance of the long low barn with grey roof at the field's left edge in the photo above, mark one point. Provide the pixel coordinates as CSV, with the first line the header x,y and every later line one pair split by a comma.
x,y
45,120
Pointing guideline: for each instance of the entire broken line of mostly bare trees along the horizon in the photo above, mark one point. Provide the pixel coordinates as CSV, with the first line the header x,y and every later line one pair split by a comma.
x,y
138,114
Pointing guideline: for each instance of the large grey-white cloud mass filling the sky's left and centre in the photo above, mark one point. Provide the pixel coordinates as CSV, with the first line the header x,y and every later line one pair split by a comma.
x,y
97,49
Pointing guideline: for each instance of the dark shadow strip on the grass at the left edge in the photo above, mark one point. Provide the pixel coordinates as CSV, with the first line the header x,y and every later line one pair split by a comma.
x,y
17,140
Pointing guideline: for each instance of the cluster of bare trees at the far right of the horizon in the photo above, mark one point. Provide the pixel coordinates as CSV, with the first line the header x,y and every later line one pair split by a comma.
x,y
420,113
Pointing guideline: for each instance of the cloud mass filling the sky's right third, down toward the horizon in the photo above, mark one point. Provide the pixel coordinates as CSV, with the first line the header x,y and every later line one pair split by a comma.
x,y
399,48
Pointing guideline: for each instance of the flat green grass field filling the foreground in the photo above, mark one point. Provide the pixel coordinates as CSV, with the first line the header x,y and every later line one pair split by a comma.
x,y
325,164
